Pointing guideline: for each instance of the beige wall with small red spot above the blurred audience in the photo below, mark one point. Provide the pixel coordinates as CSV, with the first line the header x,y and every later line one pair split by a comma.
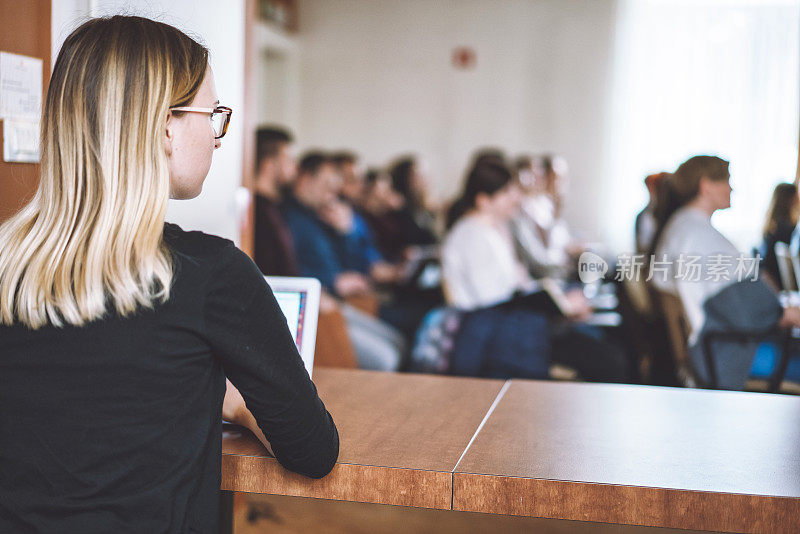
x,y
376,77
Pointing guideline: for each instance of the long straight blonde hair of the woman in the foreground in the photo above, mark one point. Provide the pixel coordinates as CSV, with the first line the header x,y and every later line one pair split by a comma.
x,y
91,239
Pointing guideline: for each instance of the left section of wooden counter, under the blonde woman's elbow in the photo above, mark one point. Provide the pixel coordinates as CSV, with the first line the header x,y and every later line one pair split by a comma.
x,y
401,438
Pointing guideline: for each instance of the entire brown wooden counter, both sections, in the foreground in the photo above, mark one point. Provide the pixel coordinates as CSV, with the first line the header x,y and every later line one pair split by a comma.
x,y
647,456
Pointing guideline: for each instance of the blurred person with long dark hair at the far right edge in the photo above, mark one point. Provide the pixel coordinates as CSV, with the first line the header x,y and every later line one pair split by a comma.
x,y
781,221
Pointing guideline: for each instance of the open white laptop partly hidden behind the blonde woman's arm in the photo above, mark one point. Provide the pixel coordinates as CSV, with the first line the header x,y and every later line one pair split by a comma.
x,y
298,299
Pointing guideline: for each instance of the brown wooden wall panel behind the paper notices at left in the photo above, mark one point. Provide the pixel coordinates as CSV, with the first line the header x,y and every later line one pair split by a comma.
x,y
24,29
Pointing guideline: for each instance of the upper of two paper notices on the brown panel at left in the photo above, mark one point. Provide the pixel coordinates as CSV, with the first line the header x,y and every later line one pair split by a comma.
x,y
20,87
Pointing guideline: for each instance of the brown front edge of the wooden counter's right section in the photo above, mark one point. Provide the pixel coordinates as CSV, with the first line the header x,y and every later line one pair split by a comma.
x,y
630,505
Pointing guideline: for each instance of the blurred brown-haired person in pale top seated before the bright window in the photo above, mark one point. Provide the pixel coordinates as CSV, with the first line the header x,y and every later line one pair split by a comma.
x,y
715,282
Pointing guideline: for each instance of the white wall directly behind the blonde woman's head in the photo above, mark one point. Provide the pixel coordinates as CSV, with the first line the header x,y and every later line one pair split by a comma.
x,y
221,28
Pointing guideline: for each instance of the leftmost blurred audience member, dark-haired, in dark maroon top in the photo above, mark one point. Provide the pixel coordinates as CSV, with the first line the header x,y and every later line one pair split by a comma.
x,y
275,171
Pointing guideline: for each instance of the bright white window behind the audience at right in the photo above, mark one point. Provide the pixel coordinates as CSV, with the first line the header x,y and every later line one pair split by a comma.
x,y
704,77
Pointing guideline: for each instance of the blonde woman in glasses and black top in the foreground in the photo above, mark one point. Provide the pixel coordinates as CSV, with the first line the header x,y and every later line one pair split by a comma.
x,y
116,330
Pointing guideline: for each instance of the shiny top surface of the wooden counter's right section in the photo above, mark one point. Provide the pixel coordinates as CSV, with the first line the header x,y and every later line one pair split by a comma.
x,y
698,440
